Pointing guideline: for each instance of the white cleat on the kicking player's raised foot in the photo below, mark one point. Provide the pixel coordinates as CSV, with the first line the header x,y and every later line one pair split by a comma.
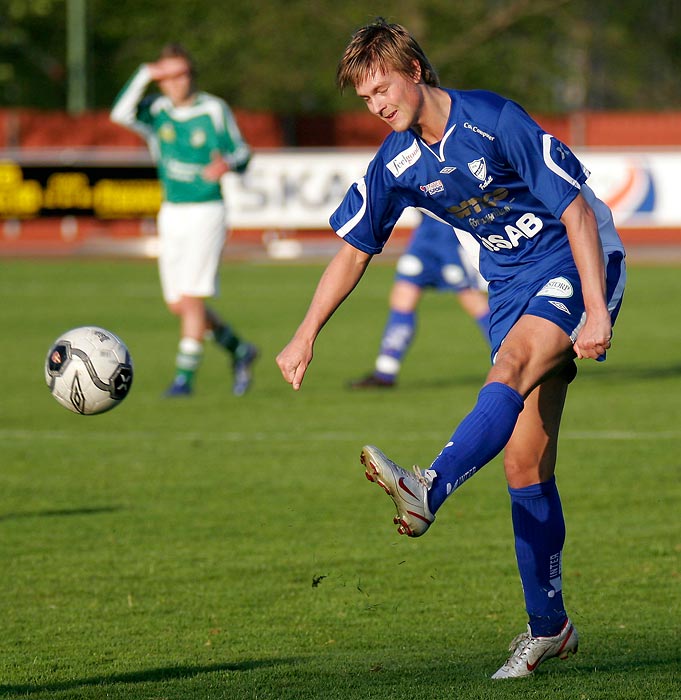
x,y
409,490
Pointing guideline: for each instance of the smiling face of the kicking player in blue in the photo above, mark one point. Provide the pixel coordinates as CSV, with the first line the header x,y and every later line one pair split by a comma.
x,y
395,98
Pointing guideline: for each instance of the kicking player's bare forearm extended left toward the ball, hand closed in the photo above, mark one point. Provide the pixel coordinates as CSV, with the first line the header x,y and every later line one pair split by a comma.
x,y
339,279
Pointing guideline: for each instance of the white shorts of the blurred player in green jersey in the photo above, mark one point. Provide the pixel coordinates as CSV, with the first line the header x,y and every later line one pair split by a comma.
x,y
191,238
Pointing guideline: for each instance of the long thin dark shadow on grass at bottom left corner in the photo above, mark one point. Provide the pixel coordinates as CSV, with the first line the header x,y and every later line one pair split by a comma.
x,y
152,675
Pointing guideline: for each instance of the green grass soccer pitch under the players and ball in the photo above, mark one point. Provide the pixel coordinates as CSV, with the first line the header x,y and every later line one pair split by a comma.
x,y
231,548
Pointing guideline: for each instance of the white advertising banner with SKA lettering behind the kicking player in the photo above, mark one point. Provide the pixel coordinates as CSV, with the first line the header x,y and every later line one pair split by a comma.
x,y
299,189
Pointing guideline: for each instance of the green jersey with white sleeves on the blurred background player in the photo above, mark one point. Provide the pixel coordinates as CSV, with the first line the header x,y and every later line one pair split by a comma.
x,y
182,140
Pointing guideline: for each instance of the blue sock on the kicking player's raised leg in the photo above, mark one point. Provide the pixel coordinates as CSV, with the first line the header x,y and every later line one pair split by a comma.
x,y
481,435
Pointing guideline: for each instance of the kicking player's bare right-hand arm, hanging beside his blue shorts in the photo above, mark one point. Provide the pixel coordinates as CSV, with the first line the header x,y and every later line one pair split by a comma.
x,y
594,337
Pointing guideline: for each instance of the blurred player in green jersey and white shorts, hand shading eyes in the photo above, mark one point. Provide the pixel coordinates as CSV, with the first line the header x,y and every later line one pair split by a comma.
x,y
195,140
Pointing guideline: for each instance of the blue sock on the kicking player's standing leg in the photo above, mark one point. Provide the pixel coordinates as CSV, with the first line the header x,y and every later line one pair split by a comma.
x,y
539,530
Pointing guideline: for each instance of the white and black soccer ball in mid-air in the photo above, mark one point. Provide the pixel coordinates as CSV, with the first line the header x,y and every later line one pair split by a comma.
x,y
88,370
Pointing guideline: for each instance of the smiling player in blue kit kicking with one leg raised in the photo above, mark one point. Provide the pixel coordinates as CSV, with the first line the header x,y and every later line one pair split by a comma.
x,y
518,201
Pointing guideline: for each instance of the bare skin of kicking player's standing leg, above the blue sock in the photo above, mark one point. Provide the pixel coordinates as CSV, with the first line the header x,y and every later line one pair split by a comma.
x,y
530,455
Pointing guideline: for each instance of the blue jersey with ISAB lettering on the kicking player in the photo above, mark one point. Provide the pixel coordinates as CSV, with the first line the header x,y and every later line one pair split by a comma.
x,y
496,176
